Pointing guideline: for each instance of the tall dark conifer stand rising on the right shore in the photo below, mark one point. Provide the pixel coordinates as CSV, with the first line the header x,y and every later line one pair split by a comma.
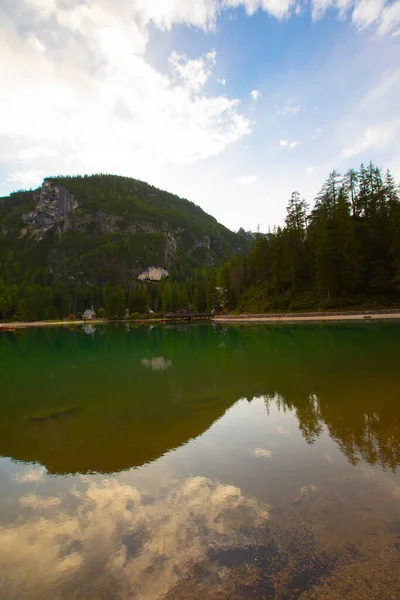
x,y
343,252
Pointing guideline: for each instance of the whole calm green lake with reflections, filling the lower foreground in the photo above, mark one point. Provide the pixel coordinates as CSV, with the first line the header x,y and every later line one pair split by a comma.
x,y
205,462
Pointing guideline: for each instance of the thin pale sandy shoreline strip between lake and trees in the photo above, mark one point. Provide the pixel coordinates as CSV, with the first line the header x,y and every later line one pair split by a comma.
x,y
378,315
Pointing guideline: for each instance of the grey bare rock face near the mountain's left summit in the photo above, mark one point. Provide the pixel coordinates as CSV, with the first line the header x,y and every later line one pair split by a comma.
x,y
53,207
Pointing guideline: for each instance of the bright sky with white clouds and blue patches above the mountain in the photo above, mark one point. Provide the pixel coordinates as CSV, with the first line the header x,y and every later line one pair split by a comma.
x,y
233,104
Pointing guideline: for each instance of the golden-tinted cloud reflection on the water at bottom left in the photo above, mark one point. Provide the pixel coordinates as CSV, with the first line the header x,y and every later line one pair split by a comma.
x,y
114,537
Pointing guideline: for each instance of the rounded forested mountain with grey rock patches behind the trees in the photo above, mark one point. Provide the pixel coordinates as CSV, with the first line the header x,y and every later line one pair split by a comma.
x,y
109,230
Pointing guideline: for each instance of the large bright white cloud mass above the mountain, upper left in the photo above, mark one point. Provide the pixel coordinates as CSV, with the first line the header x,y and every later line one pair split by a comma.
x,y
95,102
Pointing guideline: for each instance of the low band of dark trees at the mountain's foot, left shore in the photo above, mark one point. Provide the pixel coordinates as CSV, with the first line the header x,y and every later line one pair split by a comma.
x,y
44,296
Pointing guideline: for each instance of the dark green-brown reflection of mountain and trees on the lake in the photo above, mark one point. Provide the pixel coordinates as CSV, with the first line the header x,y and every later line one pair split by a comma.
x,y
125,398
